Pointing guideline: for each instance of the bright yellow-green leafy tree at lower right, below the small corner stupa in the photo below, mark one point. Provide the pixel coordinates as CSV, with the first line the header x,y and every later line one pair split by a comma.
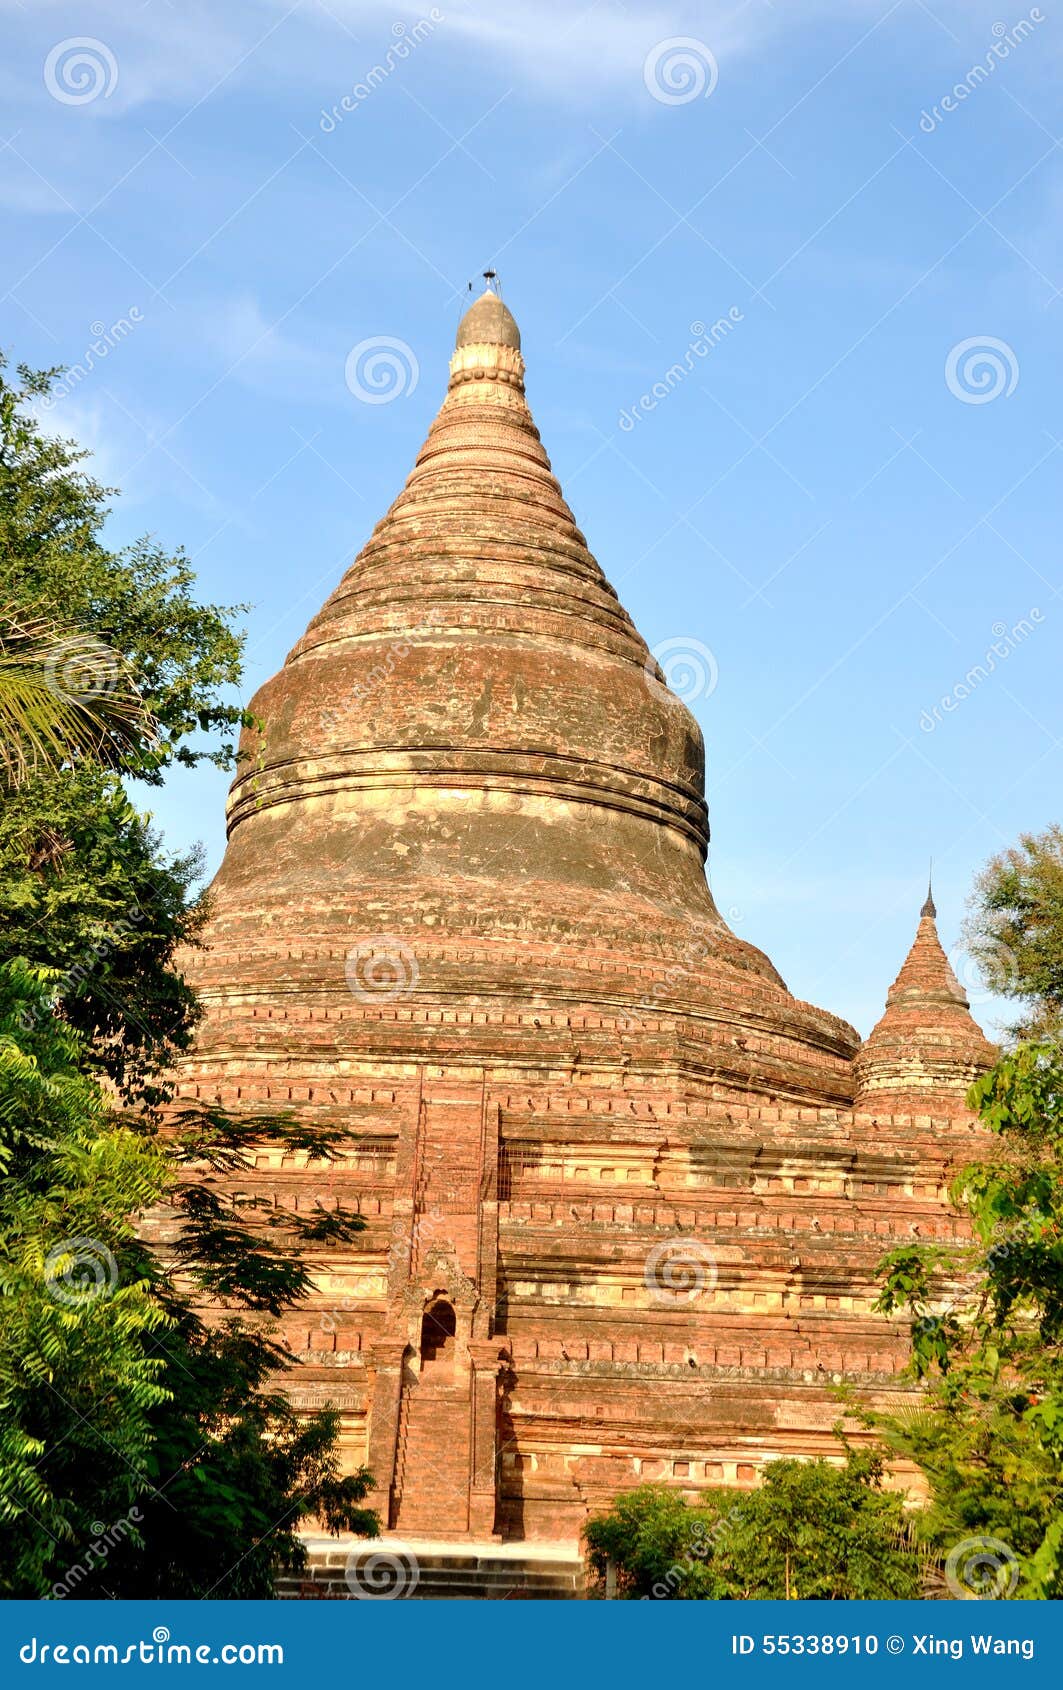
x,y
986,1331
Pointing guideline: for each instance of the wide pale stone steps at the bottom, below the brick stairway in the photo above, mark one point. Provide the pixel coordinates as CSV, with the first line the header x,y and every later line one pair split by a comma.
x,y
425,1573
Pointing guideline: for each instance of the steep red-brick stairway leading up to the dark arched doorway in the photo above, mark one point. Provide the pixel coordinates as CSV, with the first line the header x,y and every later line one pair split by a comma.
x,y
433,1458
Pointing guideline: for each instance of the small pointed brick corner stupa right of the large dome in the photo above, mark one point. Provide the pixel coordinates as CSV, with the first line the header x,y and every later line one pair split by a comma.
x,y
925,1052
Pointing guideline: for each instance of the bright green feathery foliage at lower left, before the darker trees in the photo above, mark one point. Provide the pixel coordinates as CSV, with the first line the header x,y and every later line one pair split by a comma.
x,y
79,1316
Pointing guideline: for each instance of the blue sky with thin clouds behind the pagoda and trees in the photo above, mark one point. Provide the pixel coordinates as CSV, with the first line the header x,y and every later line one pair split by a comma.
x,y
848,503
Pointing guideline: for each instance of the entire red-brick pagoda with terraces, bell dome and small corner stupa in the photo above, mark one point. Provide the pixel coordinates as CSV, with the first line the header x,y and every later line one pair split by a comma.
x,y
624,1194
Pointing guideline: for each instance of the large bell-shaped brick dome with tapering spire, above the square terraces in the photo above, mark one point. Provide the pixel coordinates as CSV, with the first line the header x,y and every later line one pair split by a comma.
x,y
472,756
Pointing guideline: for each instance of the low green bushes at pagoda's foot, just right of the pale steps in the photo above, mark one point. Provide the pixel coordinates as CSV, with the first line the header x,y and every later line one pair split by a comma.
x,y
812,1530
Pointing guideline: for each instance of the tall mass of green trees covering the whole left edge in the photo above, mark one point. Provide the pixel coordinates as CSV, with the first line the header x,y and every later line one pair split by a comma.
x,y
146,1449
